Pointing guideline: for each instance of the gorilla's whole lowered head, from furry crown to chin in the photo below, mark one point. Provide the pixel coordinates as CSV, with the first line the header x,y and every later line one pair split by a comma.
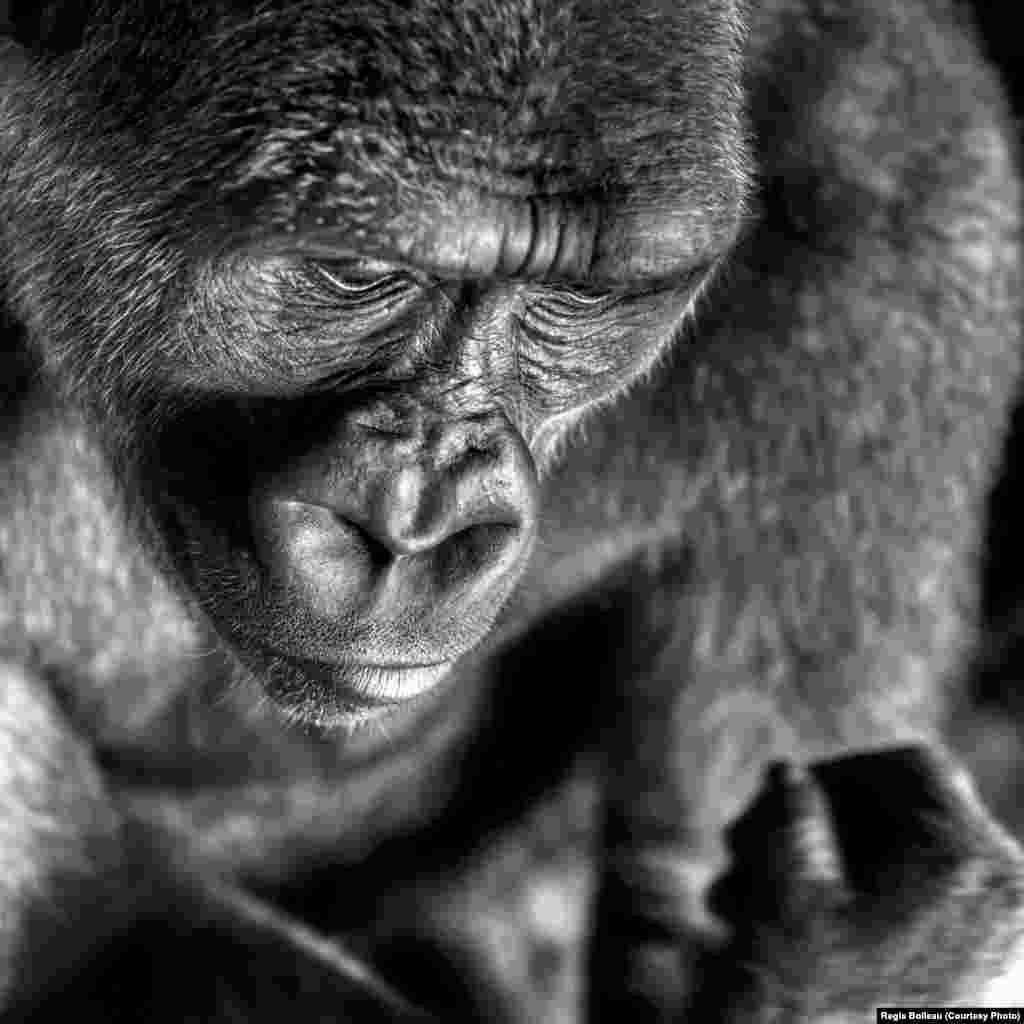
x,y
335,327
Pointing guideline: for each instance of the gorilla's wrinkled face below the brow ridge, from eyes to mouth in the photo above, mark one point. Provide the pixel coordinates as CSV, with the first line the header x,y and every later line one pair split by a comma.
x,y
357,515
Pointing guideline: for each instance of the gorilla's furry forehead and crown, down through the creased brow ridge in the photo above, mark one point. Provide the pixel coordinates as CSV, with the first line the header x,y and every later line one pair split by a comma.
x,y
520,139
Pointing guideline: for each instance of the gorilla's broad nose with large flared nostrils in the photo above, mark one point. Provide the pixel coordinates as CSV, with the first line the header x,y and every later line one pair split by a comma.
x,y
382,529
